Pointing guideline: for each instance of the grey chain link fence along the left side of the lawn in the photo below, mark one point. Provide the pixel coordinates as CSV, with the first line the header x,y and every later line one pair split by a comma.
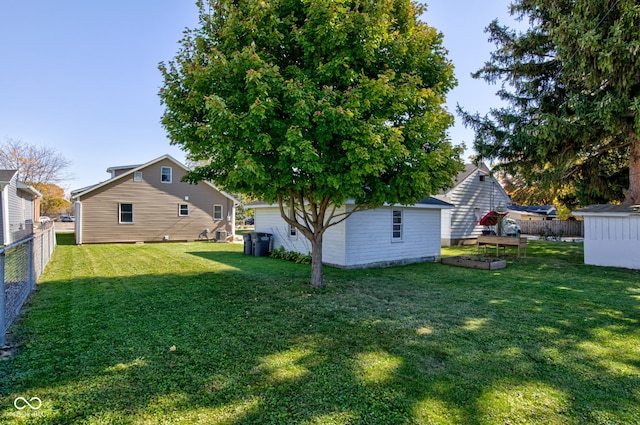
x,y
21,264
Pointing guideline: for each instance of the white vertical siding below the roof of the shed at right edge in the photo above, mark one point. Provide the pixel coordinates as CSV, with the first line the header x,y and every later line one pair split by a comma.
x,y
612,241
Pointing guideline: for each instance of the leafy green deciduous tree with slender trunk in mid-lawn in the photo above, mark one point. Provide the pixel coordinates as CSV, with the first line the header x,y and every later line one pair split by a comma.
x,y
310,103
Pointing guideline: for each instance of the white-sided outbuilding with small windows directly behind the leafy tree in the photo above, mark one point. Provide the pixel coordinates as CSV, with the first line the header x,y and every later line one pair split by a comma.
x,y
384,236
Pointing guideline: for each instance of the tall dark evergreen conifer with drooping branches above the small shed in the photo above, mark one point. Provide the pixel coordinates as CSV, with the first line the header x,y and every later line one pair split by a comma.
x,y
572,85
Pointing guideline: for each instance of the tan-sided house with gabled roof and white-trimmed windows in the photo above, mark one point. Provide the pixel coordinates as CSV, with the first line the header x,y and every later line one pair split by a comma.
x,y
151,203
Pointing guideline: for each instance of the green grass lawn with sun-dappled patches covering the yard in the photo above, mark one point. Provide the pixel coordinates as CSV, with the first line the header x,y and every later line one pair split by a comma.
x,y
547,340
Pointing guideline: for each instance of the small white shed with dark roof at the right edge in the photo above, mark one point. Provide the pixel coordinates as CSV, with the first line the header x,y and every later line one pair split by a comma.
x,y
611,235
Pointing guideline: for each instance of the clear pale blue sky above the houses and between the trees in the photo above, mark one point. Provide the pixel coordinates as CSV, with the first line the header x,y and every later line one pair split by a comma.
x,y
81,76
